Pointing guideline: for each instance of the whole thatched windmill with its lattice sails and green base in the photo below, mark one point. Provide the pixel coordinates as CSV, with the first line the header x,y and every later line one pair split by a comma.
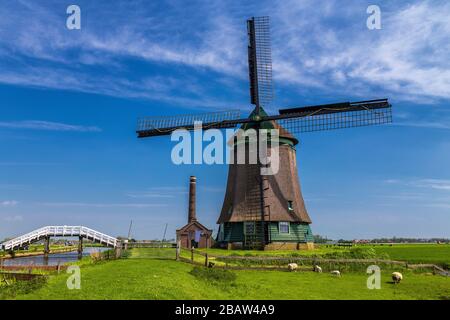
x,y
259,211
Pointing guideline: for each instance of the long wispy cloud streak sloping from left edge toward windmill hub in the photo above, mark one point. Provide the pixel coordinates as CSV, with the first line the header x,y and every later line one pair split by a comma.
x,y
185,92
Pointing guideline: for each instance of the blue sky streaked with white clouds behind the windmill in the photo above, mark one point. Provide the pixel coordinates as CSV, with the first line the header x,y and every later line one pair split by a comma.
x,y
70,100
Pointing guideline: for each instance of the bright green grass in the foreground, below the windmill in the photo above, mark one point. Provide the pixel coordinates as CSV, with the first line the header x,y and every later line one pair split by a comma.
x,y
145,276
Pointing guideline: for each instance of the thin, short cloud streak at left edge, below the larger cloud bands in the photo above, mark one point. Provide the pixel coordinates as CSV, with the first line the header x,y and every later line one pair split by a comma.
x,y
47,125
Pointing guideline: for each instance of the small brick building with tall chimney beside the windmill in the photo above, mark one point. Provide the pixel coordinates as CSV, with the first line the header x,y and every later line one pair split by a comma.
x,y
194,234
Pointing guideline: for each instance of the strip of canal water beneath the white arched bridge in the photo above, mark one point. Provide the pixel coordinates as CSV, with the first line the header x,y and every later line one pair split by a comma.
x,y
53,259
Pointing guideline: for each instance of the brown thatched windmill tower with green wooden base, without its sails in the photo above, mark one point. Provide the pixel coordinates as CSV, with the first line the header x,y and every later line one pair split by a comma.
x,y
286,218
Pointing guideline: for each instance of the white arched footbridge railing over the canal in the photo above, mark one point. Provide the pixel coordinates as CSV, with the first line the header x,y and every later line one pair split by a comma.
x,y
60,231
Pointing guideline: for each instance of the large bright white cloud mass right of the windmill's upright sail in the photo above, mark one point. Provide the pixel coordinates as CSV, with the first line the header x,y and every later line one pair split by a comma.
x,y
408,57
